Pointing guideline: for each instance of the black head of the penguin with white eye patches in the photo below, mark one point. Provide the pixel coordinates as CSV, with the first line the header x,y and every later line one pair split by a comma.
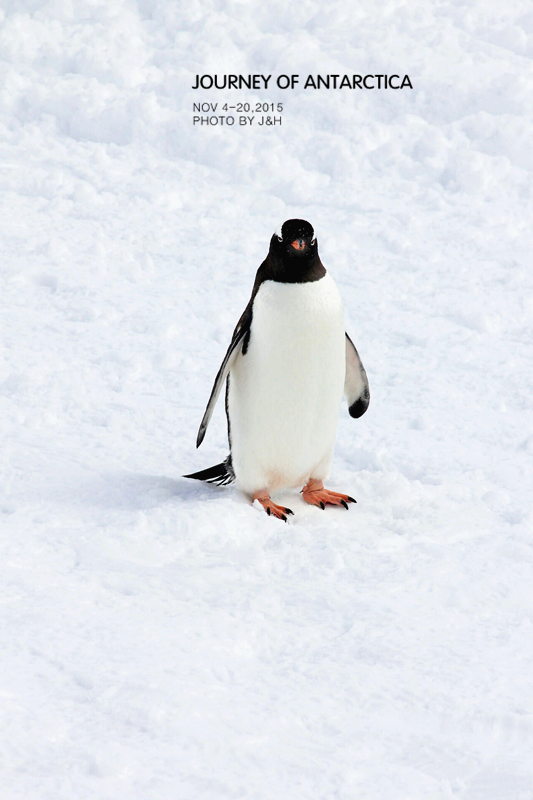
x,y
293,250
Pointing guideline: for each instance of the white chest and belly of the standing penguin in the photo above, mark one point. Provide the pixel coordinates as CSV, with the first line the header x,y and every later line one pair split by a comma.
x,y
285,392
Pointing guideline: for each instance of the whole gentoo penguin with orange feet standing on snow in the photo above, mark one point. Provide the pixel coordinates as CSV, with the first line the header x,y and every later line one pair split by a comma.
x,y
286,368
